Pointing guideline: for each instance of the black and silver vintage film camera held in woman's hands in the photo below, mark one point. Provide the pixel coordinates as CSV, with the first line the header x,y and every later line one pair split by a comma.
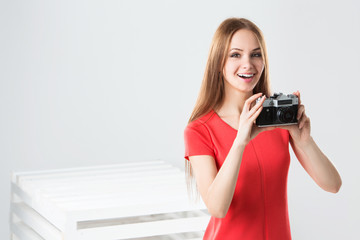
x,y
278,109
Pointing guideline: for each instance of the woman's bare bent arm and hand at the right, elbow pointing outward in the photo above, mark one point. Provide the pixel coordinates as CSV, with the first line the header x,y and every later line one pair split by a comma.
x,y
313,160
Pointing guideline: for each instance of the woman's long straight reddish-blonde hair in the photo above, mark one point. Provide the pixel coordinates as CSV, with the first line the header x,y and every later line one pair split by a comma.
x,y
212,90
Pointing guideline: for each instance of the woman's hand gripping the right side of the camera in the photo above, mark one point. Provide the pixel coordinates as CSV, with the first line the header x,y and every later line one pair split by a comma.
x,y
300,132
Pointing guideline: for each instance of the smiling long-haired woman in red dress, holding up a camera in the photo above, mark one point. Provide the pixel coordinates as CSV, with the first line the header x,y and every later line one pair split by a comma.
x,y
241,169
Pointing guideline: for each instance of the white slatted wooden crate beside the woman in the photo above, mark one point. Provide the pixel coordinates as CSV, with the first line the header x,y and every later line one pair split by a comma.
x,y
144,200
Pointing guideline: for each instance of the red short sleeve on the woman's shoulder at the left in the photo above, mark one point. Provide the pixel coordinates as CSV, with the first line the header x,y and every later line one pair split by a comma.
x,y
197,141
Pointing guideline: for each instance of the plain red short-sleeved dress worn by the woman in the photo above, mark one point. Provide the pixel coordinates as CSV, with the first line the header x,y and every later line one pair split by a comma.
x,y
259,207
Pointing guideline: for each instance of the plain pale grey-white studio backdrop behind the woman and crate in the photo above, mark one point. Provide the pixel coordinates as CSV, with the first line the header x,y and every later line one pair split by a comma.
x,y
101,82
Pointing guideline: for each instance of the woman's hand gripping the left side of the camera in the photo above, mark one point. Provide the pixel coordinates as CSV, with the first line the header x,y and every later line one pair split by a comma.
x,y
247,129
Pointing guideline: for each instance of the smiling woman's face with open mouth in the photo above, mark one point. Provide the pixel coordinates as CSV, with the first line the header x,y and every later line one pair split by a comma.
x,y
244,64
